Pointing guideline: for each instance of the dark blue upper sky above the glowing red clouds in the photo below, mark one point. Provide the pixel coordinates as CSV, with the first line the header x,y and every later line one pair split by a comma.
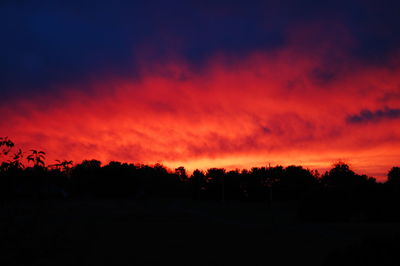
x,y
46,43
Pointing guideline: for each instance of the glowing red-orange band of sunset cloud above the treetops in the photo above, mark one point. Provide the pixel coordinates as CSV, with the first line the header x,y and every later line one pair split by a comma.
x,y
284,107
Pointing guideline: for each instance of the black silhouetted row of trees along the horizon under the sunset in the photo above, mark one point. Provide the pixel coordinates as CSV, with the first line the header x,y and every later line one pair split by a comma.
x,y
339,193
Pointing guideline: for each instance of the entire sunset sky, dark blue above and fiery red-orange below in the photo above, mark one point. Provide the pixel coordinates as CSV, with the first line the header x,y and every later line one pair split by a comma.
x,y
202,84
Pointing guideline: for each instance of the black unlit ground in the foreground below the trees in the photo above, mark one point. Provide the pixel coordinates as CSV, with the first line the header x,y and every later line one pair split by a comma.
x,y
183,232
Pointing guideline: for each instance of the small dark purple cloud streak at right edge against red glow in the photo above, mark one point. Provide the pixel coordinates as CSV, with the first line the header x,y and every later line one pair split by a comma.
x,y
368,116
